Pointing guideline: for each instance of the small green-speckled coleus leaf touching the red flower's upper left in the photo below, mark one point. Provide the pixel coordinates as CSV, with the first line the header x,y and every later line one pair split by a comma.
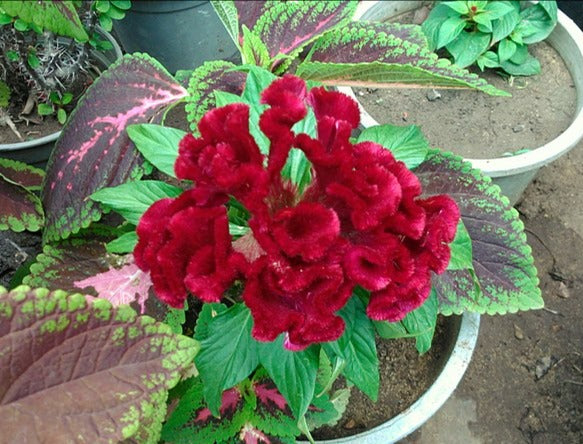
x,y
211,76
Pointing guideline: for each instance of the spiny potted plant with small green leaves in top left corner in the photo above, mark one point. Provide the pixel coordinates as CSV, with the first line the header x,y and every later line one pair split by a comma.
x,y
50,52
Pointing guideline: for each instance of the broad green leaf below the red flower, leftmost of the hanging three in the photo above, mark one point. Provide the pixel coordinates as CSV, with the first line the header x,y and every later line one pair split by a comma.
x,y
228,354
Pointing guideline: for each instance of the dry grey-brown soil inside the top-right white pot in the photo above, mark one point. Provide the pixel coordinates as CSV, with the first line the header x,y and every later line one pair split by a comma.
x,y
479,126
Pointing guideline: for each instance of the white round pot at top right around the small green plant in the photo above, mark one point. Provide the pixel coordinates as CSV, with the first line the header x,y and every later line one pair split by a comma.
x,y
512,174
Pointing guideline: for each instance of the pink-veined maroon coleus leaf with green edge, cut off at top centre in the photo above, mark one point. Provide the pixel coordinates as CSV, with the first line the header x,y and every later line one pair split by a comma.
x,y
287,27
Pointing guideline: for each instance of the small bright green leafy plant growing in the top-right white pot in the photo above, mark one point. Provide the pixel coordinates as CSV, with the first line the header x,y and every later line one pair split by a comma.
x,y
491,34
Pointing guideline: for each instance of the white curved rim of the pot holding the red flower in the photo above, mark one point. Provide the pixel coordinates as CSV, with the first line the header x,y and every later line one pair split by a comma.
x,y
420,411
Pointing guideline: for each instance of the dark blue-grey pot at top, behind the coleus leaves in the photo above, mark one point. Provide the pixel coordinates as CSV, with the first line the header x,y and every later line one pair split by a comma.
x,y
180,34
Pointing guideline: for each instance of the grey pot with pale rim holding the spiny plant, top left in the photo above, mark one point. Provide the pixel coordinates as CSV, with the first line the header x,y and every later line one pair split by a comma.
x,y
37,151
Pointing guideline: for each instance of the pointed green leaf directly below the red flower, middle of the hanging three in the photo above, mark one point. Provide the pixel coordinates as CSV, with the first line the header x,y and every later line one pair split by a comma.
x,y
294,373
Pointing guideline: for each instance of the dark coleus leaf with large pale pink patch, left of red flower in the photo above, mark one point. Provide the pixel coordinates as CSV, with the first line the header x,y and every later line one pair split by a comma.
x,y
84,265
